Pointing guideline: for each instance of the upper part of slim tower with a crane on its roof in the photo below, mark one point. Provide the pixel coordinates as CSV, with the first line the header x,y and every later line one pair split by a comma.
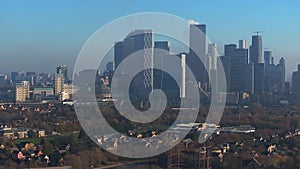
x,y
256,49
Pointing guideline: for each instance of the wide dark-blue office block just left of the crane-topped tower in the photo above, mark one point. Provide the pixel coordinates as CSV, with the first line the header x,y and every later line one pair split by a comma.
x,y
238,60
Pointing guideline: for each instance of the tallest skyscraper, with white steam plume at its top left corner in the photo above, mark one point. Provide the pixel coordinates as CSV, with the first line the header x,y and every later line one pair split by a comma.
x,y
198,49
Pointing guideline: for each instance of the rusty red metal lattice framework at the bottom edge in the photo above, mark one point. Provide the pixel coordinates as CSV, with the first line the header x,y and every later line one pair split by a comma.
x,y
190,155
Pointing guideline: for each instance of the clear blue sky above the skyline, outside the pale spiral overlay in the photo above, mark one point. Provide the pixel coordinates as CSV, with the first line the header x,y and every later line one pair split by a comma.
x,y
39,35
